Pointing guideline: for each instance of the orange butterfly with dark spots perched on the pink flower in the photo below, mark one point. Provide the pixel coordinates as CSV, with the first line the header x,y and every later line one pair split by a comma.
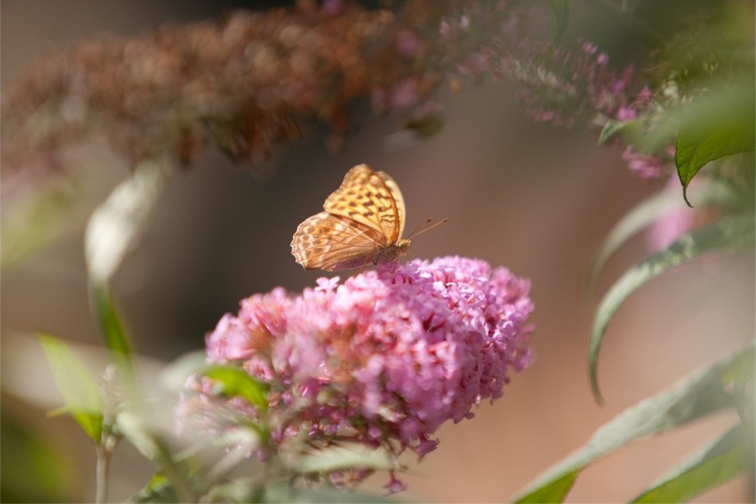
x,y
362,225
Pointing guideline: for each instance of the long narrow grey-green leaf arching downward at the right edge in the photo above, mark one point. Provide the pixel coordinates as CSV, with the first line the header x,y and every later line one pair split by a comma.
x,y
729,233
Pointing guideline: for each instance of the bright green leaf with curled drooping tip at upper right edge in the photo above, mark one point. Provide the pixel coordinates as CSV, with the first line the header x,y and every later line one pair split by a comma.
x,y
715,127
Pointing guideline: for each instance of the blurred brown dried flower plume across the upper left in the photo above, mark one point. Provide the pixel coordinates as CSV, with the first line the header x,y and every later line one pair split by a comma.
x,y
246,83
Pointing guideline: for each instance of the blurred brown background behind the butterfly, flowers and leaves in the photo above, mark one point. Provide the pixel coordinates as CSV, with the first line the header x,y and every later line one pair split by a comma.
x,y
531,197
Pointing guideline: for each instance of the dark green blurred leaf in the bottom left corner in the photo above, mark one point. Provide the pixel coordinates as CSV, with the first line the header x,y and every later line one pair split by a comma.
x,y
32,470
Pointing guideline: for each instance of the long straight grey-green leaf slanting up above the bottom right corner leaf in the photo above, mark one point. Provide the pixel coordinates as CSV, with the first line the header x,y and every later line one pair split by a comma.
x,y
696,397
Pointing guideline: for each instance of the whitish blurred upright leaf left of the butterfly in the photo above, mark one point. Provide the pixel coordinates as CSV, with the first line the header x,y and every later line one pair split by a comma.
x,y
116,225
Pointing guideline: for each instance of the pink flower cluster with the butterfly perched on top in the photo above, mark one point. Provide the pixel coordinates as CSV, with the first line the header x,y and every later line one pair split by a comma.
x,y
384,358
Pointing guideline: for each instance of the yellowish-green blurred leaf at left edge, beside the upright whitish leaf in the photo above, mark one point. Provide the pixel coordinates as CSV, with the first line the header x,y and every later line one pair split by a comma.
x,y
33,222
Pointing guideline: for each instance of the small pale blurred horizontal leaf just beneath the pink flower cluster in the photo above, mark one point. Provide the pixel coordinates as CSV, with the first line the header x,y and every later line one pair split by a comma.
x,y
340,457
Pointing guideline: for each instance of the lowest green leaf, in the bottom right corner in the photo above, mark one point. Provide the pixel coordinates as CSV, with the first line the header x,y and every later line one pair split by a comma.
x,y
711,467
